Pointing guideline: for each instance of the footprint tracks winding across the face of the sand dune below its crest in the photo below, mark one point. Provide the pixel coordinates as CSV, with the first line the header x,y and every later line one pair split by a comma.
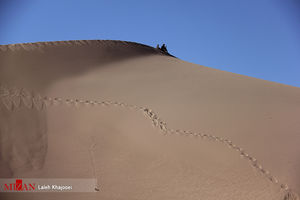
x,y
13,98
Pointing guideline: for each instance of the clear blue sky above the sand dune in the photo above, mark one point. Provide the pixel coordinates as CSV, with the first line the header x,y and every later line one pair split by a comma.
x,y
258,38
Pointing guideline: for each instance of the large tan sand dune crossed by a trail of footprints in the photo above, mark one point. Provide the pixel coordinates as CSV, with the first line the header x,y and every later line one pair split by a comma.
x,y
74,109
